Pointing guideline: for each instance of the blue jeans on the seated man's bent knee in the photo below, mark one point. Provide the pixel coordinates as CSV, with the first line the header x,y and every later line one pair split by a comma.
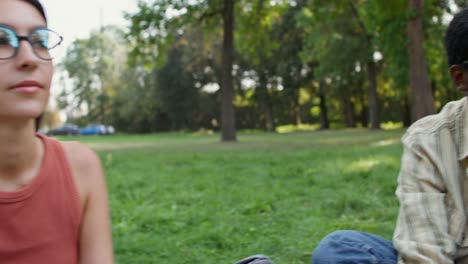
x,y
349,247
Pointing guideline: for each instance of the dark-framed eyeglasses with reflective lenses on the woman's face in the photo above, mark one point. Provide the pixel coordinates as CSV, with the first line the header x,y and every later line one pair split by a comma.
x,y
42,41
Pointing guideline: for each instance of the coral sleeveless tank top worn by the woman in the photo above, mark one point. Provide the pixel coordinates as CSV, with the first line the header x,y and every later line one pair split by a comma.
x,y
40,223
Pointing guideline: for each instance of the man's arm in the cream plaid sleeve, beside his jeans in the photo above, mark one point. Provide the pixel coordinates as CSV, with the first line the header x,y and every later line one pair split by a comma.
x,y
422,232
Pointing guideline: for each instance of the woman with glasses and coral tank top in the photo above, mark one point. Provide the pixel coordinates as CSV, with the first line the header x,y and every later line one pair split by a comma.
x,y
53,198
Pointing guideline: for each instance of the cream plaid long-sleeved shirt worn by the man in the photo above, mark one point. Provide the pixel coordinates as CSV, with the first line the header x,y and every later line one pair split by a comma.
x,y
433,189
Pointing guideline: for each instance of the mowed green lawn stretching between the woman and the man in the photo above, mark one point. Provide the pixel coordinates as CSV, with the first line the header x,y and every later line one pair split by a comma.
x,y
188,198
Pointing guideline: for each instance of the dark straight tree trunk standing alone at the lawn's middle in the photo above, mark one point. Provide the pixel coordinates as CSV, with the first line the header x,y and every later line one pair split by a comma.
x,y
228,126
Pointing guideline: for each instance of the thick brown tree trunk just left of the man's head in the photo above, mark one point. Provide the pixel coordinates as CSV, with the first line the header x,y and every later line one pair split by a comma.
x,y
421,95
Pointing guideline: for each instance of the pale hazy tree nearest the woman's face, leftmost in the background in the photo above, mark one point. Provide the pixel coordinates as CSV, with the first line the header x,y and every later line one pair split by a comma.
x,y
94,66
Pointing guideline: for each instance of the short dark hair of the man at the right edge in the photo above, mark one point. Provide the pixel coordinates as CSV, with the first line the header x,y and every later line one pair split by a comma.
x,y
456,39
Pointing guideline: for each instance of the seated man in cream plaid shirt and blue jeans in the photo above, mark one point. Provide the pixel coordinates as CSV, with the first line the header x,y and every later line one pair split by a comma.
x,y
432,184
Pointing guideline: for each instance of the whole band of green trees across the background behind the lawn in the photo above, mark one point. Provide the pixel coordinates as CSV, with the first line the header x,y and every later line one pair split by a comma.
x,y
259,64
